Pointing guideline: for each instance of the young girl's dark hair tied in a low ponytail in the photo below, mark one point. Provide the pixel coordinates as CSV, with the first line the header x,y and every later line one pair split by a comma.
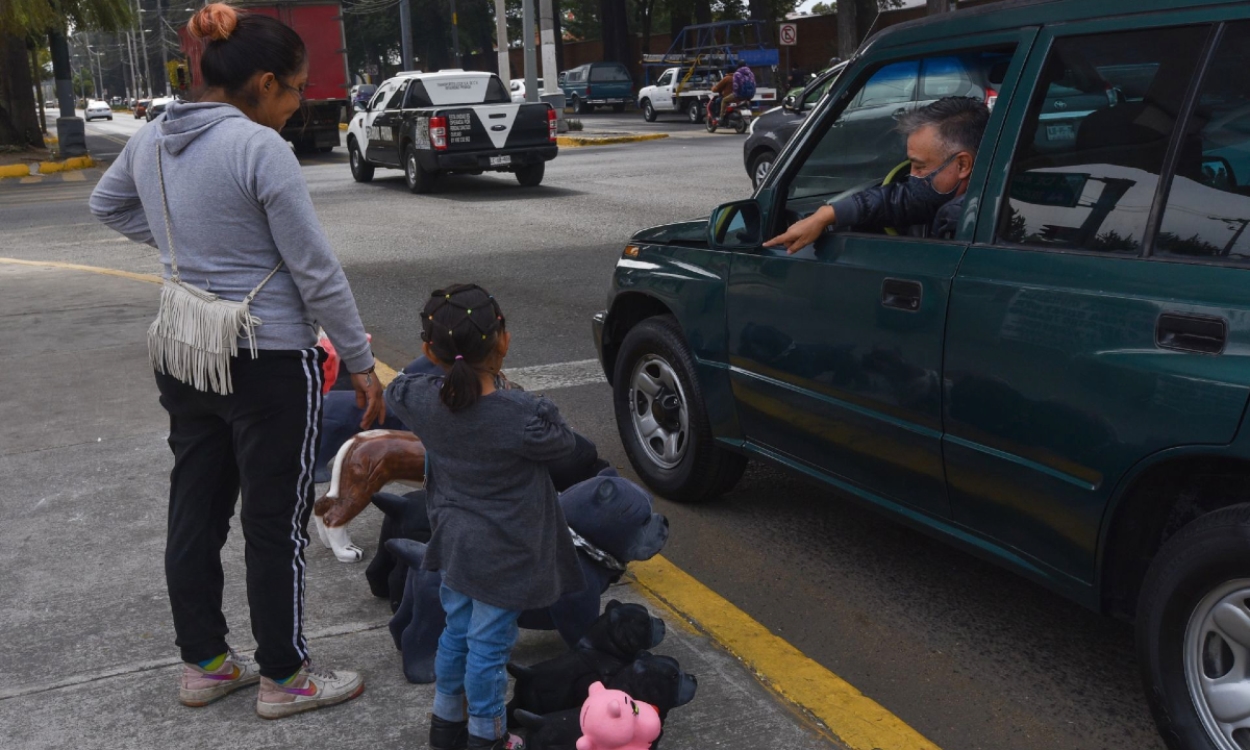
x,y
462,324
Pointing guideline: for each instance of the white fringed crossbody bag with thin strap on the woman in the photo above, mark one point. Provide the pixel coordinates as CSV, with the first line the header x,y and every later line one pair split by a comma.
x,y
197,333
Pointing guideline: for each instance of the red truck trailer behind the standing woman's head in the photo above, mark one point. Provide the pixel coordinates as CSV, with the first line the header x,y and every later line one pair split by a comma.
x,y
319,23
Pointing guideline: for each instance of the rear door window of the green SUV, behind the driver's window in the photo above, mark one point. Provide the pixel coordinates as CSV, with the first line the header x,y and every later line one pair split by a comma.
x,y
1093,144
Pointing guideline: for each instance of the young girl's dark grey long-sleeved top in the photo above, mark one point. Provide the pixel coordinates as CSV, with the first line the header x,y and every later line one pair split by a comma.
x,y
499,534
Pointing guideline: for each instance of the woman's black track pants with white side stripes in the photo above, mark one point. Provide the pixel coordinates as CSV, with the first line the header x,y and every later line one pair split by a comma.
x,y
262,439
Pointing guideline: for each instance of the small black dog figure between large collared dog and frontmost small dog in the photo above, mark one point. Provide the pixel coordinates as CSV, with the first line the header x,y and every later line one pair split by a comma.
x,y
613,643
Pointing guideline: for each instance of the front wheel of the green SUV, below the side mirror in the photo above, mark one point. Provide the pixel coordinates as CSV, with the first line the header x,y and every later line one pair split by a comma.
x,y
662,418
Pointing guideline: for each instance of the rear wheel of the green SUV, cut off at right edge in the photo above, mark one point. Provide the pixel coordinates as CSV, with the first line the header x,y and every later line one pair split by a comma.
x,y
1194,633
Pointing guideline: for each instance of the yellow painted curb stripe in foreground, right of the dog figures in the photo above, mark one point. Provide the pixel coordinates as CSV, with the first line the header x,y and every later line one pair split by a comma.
x,y
837,706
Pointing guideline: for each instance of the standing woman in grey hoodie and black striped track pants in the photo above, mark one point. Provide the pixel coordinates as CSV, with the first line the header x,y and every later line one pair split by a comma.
x,y
216,188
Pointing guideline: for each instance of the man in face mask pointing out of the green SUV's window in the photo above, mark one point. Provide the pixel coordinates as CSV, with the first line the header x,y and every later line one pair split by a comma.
x,y
943,139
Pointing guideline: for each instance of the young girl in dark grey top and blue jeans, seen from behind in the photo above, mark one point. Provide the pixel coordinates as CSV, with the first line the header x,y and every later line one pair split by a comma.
x,y
501,539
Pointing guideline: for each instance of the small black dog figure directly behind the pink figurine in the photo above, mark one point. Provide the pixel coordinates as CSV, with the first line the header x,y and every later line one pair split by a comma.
x,y
658,681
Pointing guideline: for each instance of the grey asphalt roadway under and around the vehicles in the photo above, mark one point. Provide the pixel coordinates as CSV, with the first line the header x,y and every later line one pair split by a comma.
x,y
969,656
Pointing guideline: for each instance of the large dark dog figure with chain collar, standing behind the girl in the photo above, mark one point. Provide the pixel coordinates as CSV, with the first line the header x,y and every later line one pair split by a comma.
x,y
611,514
